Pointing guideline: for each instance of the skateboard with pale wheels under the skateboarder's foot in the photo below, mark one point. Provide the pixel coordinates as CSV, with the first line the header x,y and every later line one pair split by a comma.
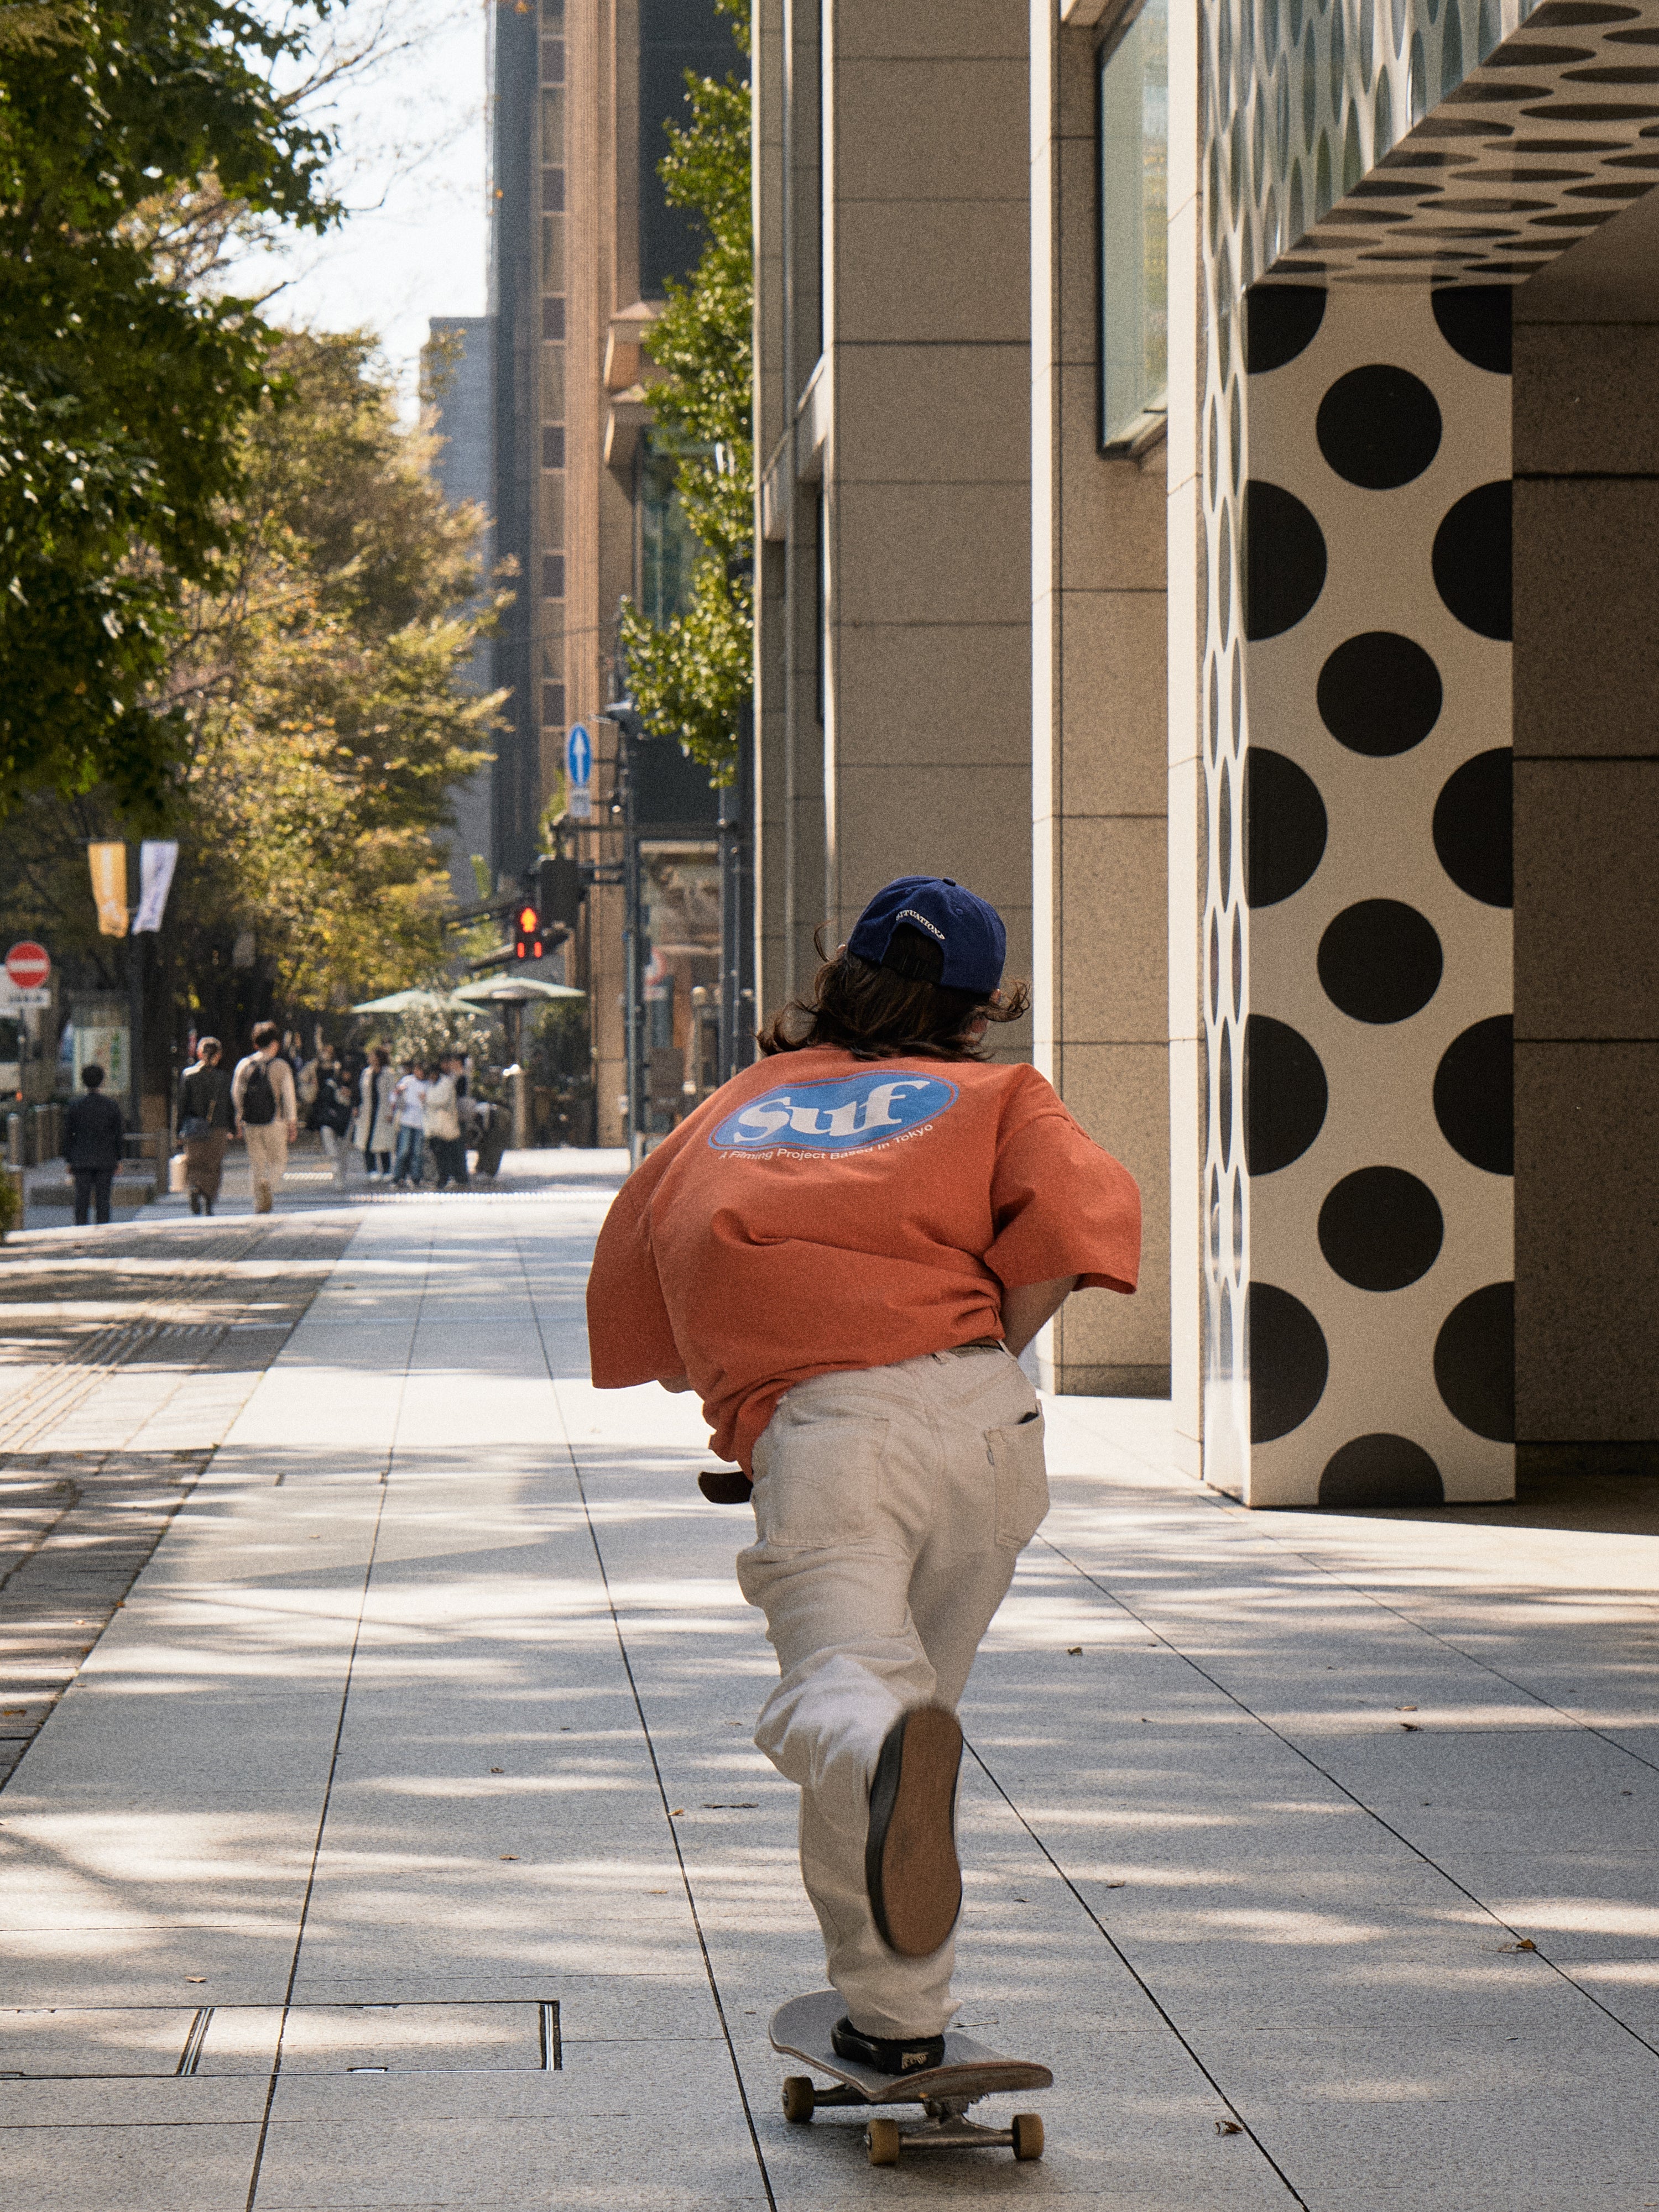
x,y
970,2072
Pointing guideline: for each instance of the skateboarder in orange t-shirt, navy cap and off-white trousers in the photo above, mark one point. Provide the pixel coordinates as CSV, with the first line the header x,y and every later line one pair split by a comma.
x,y
844,1251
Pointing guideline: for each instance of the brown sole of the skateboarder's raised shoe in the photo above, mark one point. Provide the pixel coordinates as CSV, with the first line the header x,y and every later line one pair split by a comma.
x,y
910,1868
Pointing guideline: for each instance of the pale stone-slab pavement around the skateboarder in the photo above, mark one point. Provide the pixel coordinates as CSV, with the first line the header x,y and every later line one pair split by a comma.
x,y
401,1841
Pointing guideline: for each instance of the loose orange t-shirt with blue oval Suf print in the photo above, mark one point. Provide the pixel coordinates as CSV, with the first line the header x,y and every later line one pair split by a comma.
x,y
826,1213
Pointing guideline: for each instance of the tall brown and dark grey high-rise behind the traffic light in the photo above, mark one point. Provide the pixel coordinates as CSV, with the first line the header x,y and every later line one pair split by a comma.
x,y
583,242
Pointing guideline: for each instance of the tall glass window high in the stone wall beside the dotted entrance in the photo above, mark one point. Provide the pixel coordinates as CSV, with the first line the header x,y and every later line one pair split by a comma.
x,y
1134,231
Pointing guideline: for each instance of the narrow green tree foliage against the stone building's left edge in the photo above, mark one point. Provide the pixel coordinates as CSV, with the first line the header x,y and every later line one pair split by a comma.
x,y
693,674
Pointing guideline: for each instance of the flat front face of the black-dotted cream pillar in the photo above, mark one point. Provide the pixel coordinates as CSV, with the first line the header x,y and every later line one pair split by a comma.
x,y
1377,1116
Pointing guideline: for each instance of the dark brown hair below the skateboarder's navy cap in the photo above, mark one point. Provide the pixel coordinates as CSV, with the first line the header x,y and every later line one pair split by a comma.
x,y
877,1012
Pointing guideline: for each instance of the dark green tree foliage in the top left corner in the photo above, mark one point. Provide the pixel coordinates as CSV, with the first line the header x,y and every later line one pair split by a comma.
x,y
125,393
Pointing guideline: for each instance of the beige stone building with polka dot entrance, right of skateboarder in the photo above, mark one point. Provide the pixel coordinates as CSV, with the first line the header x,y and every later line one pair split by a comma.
x,y
1207,508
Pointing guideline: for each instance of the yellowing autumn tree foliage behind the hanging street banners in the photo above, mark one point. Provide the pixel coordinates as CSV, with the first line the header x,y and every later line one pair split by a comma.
x,y
322,724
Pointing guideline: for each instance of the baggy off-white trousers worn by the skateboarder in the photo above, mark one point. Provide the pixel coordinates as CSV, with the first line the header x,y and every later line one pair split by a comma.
x,y
890,1510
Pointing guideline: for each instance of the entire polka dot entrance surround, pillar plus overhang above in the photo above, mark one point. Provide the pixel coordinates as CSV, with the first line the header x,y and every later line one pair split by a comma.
x,y
1357,160
